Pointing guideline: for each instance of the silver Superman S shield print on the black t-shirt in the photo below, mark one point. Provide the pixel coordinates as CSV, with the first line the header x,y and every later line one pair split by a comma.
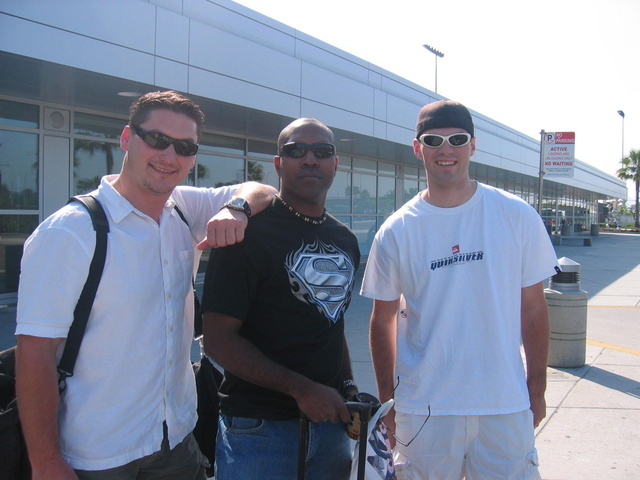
x,y
321,275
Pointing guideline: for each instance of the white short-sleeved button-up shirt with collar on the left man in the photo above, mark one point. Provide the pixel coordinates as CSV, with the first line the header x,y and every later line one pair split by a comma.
x,y
133,371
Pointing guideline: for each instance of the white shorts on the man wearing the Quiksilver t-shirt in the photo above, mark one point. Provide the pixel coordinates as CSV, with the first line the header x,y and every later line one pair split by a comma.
x,y
476,447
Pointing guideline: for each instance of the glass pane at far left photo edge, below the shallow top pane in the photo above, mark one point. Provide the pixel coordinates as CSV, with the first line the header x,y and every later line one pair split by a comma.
x,y
18,170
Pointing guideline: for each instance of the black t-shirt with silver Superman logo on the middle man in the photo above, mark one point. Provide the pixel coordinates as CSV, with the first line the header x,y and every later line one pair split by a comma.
x,y
290,282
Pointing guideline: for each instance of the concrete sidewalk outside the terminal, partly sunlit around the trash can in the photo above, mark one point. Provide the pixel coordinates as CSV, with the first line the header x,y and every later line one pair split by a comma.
x,y
592,429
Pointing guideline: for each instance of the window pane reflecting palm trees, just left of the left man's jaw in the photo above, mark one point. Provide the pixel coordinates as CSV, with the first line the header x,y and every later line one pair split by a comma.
x,y
91,161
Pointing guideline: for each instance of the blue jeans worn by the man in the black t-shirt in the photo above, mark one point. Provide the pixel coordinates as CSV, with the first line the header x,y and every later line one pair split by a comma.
x,y
253,448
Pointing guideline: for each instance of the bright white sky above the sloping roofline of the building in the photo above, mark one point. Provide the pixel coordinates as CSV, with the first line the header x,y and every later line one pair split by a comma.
x,y
553,65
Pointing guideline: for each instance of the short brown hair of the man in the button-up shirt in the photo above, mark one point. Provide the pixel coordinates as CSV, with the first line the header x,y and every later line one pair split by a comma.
x,y
168,100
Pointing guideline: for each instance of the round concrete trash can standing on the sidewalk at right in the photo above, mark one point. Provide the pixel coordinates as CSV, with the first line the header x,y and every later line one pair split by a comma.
x,y
568,317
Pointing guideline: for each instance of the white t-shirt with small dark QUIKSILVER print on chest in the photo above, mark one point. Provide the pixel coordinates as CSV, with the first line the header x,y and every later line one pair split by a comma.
x,y
460,272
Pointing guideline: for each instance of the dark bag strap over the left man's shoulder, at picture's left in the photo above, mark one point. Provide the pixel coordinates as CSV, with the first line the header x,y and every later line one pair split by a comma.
x,y
85,302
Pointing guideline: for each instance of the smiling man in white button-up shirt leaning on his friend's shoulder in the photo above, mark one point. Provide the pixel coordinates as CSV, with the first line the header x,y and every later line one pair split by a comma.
x,y
130,407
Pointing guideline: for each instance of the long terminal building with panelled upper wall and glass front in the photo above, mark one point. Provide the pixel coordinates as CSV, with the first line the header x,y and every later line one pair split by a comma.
x,y
70,69
